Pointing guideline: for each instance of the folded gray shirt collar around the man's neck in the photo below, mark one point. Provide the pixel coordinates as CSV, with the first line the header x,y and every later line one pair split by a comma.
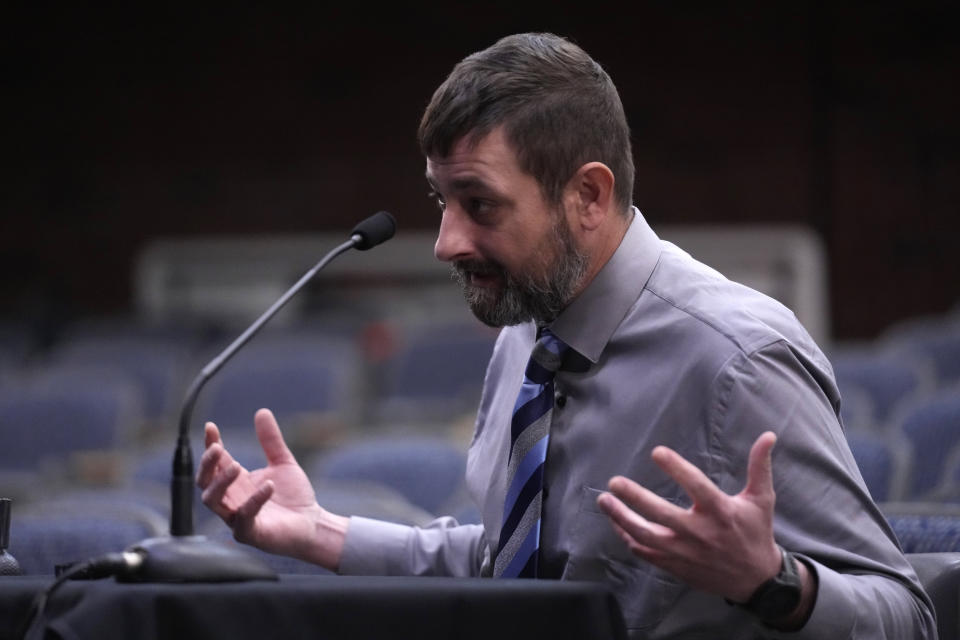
x,y
590,320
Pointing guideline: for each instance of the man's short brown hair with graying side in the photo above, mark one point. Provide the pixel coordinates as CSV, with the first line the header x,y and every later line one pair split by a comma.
x,y
559,107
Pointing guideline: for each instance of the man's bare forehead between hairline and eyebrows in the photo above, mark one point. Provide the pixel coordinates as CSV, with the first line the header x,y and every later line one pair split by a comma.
x,y
490,158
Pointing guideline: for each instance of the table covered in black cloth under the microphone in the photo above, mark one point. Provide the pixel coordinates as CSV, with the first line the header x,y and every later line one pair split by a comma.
x,y
317,607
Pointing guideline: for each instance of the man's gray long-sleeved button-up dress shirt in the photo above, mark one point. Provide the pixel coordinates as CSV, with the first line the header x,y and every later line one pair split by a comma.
x,y
681,357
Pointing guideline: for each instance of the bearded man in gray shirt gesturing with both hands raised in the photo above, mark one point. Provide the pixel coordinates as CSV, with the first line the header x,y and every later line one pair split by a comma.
x,y
753,521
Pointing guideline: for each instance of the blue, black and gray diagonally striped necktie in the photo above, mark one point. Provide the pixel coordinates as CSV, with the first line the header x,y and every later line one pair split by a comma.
x,y
530,432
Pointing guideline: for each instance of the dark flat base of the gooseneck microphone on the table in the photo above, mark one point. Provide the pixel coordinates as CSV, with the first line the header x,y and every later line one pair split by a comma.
x,y
194,559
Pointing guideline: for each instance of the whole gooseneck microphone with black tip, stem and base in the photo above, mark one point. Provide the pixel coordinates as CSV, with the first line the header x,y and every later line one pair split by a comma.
x,y
185,557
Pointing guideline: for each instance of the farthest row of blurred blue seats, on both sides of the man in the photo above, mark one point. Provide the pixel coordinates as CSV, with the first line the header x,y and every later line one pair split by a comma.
x,y
382,372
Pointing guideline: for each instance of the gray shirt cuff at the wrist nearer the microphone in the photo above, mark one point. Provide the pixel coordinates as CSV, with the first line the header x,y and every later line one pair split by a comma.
x,y
373,547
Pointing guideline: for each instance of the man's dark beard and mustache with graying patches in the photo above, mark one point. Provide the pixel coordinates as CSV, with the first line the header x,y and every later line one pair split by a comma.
x,y
527,295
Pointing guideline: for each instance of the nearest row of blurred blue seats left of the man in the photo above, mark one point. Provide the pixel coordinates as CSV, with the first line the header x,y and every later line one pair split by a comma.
x,y
404,479
